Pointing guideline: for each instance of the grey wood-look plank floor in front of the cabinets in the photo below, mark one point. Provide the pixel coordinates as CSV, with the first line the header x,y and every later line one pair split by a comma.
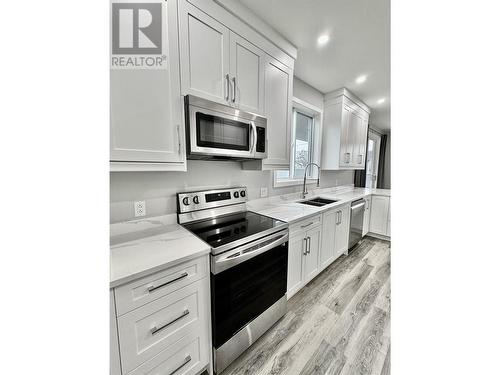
x,y
337,324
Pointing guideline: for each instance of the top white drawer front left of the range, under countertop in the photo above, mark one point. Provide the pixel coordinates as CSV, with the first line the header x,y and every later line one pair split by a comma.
x,y
137,293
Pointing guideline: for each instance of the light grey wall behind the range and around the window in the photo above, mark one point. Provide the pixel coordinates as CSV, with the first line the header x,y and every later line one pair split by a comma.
x,y
158,189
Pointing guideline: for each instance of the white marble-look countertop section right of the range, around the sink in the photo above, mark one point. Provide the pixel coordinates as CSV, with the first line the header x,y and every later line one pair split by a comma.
x,y
287,208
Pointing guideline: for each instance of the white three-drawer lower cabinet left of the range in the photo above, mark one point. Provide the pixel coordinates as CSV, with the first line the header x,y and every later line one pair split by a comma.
x,y
170,333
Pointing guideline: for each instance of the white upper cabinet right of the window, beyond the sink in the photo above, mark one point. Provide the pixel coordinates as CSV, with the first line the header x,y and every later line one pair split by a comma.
x,y
345,131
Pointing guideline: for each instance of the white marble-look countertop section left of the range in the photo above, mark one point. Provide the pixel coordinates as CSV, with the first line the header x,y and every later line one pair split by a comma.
x,y
142,247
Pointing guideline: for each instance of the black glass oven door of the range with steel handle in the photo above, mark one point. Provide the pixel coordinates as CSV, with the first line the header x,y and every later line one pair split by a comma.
x,y
245,282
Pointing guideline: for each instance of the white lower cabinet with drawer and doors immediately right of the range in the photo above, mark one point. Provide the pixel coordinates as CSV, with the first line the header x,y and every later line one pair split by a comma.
x,y
303,253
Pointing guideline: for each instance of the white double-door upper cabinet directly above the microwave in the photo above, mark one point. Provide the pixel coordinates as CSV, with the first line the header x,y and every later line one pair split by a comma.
x,y
218,64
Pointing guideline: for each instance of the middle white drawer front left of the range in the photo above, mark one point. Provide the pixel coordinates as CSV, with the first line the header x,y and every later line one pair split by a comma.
x,y
150,329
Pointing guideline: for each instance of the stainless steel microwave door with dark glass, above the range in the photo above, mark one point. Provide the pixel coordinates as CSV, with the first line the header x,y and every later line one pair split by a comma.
x,y
219,134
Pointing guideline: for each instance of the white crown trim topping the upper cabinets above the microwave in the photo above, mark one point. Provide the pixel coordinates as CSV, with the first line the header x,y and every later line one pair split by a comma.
x,y
230,15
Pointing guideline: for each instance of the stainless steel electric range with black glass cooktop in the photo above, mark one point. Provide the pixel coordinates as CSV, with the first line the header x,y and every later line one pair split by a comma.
x,y
248,267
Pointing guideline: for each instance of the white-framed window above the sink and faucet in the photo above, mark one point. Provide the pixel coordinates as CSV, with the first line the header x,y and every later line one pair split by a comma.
x,y
306,130
